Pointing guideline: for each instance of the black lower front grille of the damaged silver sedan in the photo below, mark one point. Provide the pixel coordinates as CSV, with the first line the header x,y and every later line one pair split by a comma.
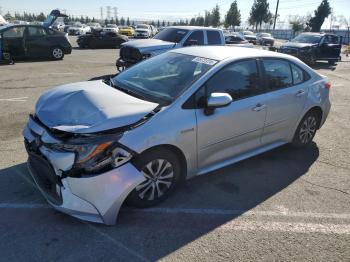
x,y
45,177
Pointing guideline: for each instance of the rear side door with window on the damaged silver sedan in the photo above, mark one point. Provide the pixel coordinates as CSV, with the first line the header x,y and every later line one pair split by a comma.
x,y
286,83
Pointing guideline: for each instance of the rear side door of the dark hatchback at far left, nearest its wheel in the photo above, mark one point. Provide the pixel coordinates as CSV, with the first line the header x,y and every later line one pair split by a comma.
x,y
37,42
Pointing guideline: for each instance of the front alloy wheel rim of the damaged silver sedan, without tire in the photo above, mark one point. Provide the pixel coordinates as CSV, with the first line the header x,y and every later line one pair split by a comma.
x,y
159,176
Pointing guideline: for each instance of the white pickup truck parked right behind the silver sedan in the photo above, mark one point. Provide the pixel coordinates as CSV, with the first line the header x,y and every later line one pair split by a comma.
x,y
171,37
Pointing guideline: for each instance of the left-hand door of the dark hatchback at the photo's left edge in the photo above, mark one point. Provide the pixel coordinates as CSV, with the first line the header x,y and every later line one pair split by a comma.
x,y
13,41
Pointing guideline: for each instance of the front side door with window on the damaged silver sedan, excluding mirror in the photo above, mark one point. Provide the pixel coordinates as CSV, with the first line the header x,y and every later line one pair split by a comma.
x,y
236,128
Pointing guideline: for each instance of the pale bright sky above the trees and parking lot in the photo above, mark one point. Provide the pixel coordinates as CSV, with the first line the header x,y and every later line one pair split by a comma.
x,y
167,9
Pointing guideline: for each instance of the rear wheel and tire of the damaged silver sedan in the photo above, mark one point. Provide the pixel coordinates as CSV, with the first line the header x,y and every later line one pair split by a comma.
x,y
306,130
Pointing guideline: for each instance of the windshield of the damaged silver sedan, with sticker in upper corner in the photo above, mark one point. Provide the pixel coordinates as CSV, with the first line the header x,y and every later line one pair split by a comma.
x,y
162,85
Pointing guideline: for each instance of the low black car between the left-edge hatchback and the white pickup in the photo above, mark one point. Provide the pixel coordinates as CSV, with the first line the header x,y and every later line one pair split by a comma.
x,y
101,39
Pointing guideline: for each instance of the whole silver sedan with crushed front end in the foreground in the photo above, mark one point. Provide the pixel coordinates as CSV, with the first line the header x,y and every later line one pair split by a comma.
x,y
134,137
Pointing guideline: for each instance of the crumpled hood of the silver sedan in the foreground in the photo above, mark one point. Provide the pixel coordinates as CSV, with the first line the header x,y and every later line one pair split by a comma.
x,y
89,107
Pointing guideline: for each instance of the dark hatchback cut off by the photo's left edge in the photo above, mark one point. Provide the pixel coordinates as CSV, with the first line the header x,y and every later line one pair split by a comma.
x,y
34,41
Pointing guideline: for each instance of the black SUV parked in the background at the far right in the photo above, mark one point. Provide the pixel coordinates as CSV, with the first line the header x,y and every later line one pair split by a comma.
x,y
310,47
